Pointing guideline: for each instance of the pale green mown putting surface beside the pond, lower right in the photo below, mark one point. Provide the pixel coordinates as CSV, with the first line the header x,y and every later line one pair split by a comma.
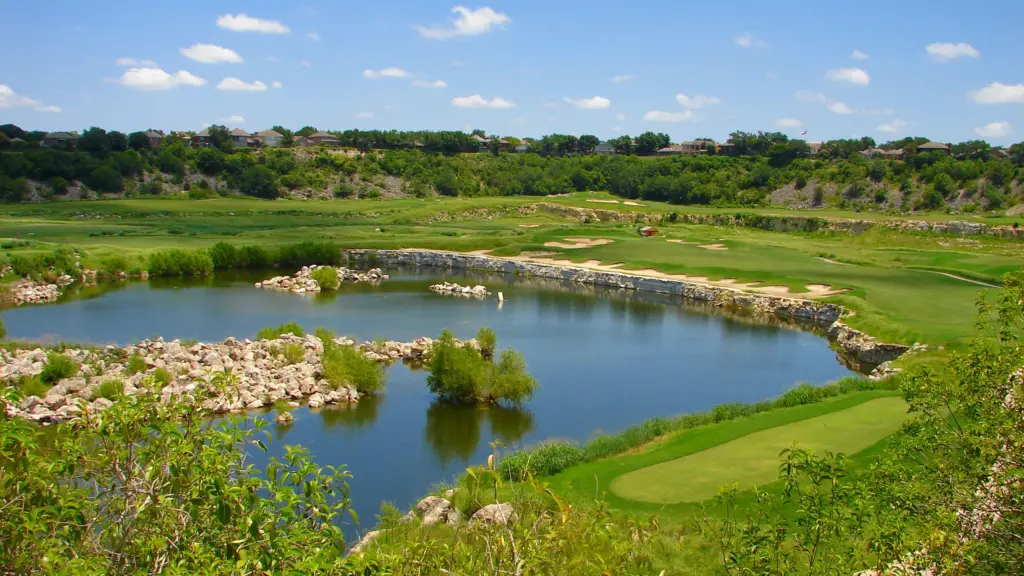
x,y
754,460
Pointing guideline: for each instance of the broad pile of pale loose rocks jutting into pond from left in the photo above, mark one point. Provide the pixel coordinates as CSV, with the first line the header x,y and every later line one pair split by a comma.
x,y
261,375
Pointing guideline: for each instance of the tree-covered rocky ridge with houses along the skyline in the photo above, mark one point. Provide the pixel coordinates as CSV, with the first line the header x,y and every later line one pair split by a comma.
x,y
747,171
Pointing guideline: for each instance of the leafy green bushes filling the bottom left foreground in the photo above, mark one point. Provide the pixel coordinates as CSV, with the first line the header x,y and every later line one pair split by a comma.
x,y
149,488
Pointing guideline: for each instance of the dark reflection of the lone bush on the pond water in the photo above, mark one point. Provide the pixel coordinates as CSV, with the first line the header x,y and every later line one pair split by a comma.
x,y
453,431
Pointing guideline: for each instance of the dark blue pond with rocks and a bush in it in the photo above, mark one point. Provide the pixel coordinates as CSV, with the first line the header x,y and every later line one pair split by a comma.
x,y
605,360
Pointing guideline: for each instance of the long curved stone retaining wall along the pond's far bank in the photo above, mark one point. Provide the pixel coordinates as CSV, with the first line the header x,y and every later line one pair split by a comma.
x,y
861,348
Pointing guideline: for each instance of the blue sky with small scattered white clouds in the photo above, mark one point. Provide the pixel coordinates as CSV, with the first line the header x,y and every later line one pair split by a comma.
x,y
951,71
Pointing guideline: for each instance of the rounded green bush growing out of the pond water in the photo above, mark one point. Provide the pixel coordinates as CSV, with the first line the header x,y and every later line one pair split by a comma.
x,y
460,374
